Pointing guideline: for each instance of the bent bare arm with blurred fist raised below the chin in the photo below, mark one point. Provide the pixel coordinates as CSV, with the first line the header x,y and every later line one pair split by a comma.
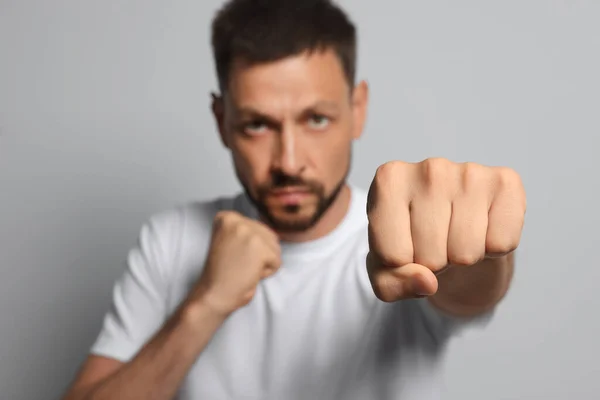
x,y
241,254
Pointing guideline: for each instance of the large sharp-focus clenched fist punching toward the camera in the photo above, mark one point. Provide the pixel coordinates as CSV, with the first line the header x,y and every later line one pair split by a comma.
x,y
426,216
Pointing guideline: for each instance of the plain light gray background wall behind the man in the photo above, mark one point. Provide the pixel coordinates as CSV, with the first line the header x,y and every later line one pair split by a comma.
x,y
104,120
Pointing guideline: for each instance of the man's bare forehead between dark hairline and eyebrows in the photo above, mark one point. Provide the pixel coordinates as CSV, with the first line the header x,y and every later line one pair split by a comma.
x,y
290,83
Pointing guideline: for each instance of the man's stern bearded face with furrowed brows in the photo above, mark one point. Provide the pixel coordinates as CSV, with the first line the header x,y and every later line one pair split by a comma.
x,y
289,126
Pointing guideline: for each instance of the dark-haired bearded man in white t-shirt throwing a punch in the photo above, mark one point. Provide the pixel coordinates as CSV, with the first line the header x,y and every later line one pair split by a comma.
x,y
304,287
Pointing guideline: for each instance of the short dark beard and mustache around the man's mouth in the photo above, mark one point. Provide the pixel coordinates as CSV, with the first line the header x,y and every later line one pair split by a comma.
x,y
298,217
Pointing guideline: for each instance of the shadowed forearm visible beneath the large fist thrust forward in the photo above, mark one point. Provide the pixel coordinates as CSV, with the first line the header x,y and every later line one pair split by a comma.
x,y
468,291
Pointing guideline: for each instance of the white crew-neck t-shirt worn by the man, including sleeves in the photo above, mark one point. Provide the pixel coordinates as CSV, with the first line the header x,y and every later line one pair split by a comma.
x,y
313,331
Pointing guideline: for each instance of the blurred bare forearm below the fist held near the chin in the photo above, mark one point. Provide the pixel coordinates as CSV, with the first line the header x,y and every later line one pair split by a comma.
x,y
160,367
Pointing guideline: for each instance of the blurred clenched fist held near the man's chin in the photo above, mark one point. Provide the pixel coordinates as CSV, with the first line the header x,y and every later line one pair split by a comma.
x,y
242,252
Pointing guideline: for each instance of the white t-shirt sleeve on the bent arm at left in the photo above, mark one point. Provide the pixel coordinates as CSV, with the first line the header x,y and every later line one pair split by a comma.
x,y
139,298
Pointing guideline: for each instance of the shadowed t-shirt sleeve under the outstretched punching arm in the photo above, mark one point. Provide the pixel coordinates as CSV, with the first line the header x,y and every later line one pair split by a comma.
x,y
444,326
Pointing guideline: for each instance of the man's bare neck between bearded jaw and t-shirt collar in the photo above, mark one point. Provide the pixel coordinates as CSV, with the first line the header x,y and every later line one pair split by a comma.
x,y
327,223
